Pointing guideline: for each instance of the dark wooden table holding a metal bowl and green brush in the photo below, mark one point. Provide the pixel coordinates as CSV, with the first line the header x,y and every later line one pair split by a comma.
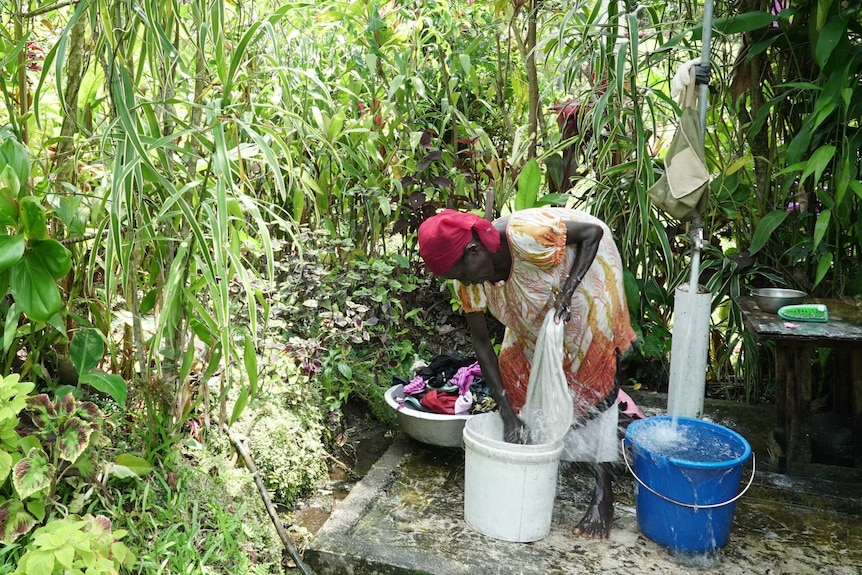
x,y
795,343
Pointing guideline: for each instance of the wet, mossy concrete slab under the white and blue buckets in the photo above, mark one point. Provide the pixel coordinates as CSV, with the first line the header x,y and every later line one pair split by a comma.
x,y
406,517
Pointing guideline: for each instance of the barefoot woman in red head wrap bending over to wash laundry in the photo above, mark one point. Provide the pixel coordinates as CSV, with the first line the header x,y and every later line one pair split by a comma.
x,y
518,267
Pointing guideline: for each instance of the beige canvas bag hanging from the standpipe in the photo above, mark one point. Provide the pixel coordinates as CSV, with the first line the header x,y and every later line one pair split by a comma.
x,y
683,190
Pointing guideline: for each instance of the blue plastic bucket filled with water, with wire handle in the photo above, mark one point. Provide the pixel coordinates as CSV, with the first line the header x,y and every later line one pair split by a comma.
x,y
687,480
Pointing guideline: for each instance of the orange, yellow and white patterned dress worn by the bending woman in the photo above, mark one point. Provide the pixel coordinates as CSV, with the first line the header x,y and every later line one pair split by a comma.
x,y
599,325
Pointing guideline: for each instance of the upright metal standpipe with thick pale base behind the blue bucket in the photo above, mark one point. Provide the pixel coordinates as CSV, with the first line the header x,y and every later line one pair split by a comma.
x,y
692,309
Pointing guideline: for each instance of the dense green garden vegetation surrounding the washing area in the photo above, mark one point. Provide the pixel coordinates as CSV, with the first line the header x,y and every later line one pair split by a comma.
x,y
209,211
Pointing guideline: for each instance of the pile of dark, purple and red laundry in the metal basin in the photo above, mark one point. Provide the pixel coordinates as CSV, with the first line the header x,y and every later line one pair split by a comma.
x,y
450,384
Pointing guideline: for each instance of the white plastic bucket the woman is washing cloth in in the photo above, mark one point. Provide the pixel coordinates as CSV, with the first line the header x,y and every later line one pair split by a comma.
x,y
509,489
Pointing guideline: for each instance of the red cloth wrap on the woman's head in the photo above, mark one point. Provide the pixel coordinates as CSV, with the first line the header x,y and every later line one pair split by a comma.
x,y
442,238
